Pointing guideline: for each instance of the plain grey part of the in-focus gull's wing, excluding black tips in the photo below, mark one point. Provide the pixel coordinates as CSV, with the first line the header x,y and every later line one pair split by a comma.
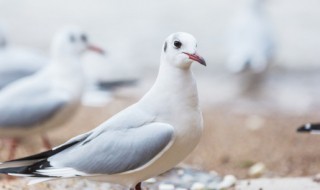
x,y
116,151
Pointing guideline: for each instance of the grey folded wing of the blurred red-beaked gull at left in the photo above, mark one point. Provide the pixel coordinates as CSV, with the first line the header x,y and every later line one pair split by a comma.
x,y
29,106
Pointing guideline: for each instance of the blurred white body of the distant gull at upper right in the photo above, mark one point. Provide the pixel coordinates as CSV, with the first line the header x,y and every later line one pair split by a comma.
x,y
251,44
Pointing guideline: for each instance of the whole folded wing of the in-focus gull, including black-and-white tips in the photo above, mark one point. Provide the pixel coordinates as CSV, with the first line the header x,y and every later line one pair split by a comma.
x,y
109,152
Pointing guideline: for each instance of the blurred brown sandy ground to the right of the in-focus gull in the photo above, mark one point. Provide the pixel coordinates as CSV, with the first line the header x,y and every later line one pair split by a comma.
x,y
229,146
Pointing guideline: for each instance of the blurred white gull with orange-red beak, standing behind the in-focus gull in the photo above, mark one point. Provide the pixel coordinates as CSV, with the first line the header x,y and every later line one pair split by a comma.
x,y
50,97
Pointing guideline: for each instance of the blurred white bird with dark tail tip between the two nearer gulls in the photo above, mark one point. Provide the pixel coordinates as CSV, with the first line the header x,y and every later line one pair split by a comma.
x,y
103,77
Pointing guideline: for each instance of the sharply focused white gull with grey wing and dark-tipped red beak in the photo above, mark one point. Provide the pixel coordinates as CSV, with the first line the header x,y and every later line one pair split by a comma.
x,y
142,141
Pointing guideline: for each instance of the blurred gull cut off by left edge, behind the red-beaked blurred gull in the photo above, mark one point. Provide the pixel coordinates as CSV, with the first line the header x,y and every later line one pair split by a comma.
x,y
17,62
